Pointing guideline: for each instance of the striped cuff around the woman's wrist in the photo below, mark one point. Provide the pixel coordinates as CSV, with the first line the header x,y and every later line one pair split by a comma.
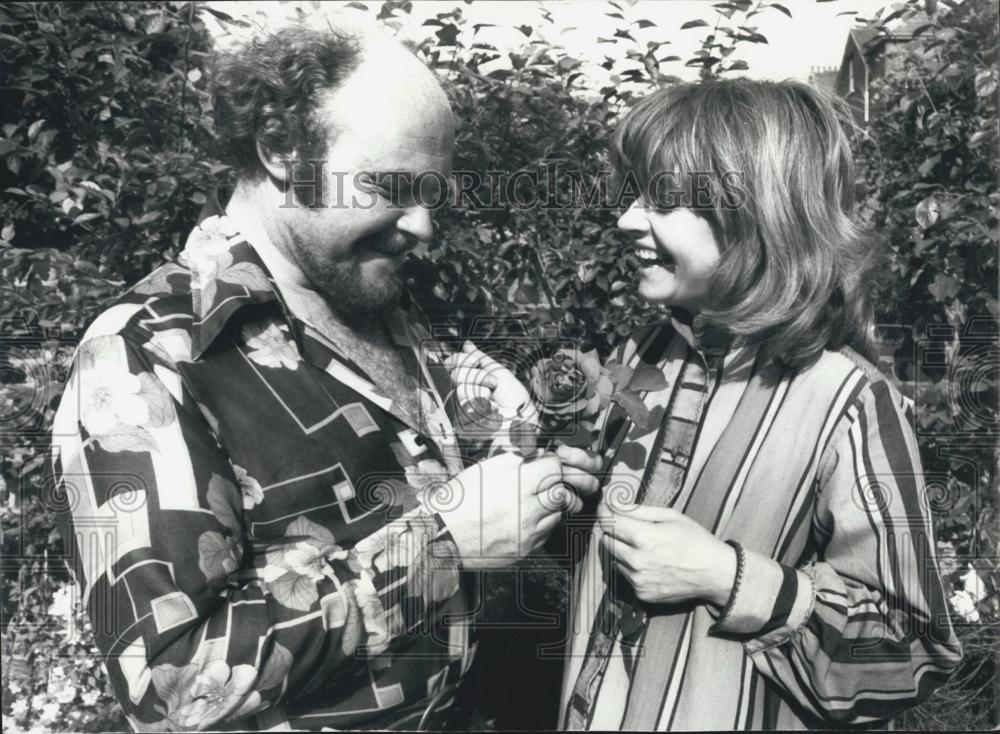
x,y
772,603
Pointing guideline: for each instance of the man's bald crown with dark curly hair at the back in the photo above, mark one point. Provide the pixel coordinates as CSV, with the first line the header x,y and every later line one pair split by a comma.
x,y
269,92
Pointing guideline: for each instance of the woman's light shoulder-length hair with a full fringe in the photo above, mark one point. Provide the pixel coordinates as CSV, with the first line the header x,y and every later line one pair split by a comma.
x,y
795,271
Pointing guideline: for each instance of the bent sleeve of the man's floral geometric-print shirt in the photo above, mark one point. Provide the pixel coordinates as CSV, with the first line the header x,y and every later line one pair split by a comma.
x,y
197,626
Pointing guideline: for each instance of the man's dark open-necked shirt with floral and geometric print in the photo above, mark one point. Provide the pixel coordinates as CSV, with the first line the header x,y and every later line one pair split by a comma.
x,y
250,535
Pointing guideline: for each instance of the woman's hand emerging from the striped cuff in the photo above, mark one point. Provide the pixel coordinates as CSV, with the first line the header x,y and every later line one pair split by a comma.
x,y
667,556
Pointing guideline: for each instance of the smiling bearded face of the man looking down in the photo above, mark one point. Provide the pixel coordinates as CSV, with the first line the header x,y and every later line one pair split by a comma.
x,y
352,245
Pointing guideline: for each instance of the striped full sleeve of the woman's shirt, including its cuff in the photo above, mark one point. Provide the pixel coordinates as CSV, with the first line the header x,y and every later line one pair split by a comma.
x,y
862,632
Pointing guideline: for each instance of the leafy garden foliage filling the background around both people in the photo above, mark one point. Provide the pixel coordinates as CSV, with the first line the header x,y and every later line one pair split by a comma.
x,y
107,157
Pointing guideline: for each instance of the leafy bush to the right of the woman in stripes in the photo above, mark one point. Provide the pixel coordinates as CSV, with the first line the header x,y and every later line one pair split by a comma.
x,y
929,165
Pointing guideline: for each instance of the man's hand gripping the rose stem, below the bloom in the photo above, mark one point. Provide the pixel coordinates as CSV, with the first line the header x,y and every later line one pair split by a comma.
x,y
501,509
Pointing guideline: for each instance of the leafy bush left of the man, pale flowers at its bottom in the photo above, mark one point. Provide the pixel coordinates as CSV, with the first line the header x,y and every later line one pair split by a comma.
x,y
105,128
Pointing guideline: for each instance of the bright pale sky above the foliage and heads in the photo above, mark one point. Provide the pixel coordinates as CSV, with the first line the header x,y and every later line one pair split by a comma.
x,y
814,37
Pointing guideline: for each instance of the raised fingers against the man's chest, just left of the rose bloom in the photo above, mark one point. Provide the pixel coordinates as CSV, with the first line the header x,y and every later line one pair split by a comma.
x,y
475,374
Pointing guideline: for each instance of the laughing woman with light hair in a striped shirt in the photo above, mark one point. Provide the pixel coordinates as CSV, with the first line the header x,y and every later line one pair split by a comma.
x,y
763,556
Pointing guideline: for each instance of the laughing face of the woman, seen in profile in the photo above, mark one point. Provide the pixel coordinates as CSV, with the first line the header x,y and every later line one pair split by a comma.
x,y
678,251
